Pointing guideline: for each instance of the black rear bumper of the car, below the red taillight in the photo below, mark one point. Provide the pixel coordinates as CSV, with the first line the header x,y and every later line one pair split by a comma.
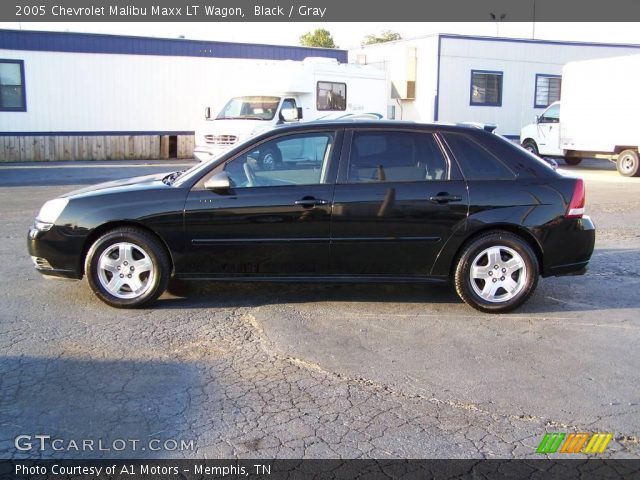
x,y
568,247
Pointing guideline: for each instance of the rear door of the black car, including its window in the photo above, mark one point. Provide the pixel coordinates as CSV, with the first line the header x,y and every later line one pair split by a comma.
x,y
397,200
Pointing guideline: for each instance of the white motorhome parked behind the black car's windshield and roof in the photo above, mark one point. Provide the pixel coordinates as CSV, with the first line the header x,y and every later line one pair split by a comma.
x,y
291,91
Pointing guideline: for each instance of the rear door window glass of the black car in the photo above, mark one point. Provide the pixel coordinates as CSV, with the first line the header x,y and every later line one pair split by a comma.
x,y
395,157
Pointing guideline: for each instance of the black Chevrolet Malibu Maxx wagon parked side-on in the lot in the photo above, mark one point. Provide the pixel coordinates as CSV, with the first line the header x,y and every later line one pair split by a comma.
x,y
338,201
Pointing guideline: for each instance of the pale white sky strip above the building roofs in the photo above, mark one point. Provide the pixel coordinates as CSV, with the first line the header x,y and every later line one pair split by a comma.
x,y
346,35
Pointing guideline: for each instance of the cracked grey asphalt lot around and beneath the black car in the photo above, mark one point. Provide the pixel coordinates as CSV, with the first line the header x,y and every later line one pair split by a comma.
x,y
317,371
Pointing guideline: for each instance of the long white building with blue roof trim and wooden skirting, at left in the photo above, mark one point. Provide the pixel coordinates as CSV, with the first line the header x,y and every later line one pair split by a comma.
x,y
71,96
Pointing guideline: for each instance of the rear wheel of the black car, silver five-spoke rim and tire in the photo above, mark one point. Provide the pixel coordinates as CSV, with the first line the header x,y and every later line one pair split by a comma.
x,y
497,272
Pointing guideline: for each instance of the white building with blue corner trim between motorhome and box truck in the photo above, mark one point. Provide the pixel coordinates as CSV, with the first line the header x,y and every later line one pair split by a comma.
x,y
459,78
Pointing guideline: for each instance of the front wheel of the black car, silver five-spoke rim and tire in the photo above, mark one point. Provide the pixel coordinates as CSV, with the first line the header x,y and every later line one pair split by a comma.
x,y
127,268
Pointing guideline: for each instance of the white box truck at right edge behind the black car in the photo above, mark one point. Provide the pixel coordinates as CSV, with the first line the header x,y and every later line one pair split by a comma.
x,y
597,116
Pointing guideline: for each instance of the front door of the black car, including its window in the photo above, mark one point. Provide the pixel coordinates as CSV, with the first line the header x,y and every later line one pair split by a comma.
x,y
275,218
